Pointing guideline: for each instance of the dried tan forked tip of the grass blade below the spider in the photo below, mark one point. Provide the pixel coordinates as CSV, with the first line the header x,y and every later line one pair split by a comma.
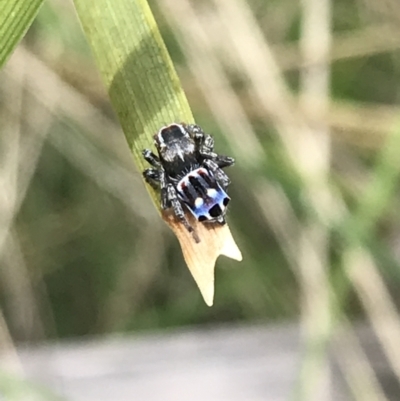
x,y
201,256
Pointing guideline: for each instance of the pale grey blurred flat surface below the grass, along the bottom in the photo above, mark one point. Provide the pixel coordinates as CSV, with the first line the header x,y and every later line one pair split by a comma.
x,y
221,364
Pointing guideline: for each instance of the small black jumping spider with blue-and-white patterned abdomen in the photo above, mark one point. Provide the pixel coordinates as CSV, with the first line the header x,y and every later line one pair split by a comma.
x,y
189,173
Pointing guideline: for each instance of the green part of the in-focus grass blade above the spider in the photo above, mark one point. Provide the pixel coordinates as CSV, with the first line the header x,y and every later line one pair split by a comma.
x,y
141,81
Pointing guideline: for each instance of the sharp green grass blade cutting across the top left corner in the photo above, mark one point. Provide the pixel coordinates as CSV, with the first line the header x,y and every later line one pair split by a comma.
x,y
16,17
